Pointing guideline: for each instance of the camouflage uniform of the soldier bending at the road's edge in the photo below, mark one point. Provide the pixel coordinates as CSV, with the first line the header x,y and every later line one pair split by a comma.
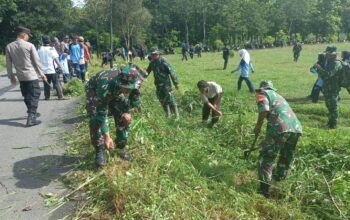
x,y
103,94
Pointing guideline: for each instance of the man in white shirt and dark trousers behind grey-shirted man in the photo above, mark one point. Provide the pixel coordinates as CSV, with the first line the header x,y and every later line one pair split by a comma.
x,y
49,59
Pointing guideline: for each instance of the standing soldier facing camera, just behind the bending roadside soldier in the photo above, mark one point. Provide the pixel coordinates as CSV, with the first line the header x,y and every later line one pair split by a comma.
x,y
163,72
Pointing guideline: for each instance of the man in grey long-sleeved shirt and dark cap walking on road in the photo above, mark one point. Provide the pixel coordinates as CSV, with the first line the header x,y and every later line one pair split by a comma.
x,y
24,57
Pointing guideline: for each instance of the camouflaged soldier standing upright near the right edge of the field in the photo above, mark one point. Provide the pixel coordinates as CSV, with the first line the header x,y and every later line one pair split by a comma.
x,y
331,75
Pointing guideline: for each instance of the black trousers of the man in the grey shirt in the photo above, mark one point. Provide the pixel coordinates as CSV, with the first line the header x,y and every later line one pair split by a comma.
x,y
31,93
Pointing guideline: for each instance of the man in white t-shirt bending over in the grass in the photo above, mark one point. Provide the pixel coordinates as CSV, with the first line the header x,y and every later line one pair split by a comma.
x,y
211,97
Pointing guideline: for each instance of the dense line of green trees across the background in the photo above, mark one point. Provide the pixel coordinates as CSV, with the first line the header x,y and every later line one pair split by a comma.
x,y
167,23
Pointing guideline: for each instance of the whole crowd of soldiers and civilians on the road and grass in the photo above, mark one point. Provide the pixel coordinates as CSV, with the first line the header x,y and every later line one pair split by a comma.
x,y
116,91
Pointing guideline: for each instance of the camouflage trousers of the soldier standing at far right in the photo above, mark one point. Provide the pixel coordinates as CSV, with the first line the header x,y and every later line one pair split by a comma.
x,y
331,100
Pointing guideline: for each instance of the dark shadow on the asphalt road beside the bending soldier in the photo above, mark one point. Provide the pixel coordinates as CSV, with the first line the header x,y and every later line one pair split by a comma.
x,y
36,172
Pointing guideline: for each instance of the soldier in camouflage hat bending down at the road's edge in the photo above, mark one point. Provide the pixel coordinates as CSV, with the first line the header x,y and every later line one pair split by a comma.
x,y
105,92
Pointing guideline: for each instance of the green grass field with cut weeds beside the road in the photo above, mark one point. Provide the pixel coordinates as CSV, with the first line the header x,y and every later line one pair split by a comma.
x,y
183,170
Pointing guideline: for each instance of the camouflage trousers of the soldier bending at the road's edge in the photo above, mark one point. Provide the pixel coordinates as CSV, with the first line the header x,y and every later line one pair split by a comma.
x,y
116,109
